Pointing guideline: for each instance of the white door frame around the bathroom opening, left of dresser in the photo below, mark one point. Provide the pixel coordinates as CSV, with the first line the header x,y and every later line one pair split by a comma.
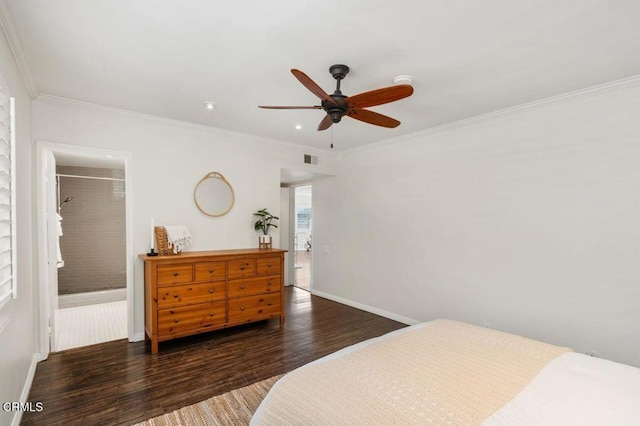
x,y
46,240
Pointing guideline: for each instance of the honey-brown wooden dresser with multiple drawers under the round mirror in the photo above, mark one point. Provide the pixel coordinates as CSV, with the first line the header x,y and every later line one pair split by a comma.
x,y
196,292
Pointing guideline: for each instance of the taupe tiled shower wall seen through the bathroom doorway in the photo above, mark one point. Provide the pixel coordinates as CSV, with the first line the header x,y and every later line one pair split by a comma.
x,y
93,245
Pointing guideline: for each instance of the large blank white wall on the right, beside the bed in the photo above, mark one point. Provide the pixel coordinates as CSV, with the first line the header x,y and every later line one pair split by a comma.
x,y
528,222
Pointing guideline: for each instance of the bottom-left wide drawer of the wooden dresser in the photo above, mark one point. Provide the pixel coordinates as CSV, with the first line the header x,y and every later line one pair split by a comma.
x,y
189,318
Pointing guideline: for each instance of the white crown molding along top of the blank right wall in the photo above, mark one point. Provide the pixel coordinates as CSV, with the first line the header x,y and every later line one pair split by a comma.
x,y
600,89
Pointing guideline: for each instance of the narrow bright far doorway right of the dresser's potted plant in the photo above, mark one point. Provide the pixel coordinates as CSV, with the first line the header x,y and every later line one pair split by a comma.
x,y
302,237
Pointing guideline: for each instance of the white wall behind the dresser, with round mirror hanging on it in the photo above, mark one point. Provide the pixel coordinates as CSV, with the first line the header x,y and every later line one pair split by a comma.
x,y
169,159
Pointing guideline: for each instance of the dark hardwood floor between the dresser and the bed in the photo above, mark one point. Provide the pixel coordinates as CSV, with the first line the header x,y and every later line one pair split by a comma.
x,y
121,383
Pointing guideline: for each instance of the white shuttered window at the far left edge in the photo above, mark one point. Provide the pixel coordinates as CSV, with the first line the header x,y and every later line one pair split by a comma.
x,y
7,199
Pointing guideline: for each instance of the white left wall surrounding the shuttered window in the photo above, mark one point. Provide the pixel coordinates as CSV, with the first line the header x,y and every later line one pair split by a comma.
x,y
17,337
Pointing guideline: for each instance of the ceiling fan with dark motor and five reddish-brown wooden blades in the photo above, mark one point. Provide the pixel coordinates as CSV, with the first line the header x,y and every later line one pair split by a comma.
x,y
338,105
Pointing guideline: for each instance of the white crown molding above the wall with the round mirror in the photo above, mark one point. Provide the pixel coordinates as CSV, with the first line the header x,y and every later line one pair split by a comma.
x,y
88,106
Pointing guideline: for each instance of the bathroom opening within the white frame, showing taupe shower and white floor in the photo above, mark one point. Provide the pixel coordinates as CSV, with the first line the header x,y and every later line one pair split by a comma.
x,y
92,297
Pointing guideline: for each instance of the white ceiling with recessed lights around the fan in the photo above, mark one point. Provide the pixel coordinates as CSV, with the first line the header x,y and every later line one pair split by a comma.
x,y
467,57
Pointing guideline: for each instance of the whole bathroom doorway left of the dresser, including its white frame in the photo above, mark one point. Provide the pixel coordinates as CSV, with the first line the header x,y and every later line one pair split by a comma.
x,y
85,243
